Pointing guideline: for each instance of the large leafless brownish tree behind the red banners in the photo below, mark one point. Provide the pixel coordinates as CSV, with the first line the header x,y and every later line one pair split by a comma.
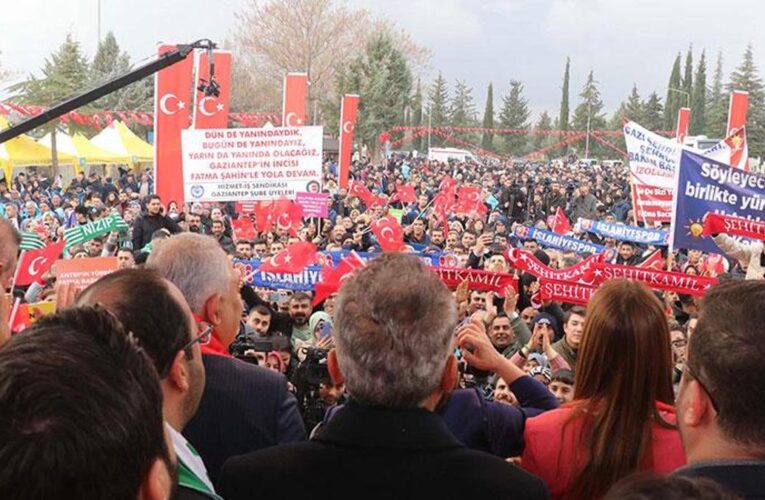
x,y
319,37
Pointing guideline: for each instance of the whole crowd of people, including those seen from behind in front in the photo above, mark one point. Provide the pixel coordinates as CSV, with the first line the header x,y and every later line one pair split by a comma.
x,y
217,388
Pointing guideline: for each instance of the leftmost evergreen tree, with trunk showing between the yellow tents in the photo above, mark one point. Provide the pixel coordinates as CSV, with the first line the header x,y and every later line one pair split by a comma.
x,y
65,73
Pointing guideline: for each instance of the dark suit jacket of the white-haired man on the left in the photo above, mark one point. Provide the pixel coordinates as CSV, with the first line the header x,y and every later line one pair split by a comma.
x,y
244,408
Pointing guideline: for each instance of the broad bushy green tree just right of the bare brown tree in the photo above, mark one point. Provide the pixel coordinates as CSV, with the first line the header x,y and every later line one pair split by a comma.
x,y
381,76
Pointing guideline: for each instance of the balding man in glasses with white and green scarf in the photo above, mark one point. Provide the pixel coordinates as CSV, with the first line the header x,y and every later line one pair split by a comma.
x,y
155,312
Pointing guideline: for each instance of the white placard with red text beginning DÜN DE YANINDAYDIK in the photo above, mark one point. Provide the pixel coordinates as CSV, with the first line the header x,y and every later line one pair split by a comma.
x,y
251,163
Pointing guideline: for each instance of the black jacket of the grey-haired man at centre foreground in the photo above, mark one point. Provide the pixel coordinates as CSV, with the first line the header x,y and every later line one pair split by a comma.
x,y
376,453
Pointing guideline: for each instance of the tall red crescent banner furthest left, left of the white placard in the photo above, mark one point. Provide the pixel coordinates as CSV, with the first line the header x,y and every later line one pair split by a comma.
x,y
171,108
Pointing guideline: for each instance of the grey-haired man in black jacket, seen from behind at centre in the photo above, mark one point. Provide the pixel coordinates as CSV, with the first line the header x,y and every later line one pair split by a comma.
x,y
394,334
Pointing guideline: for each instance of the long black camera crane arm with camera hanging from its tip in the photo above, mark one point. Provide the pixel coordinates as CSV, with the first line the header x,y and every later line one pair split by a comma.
x,y
210,88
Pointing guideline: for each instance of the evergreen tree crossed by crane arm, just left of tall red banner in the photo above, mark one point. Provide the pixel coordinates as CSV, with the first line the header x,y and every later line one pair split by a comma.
x,y
110,62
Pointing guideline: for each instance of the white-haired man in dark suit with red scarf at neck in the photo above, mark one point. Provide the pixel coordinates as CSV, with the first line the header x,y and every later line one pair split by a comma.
x,y
244,407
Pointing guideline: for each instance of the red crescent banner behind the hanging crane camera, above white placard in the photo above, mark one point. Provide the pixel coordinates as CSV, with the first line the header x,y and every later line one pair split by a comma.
x,y
211,111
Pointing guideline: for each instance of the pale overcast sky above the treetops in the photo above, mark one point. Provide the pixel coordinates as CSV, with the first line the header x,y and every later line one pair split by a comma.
x,y
624,41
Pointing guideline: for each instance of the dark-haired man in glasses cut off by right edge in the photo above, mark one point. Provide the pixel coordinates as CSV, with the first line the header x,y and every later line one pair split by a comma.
x,y
720,406
